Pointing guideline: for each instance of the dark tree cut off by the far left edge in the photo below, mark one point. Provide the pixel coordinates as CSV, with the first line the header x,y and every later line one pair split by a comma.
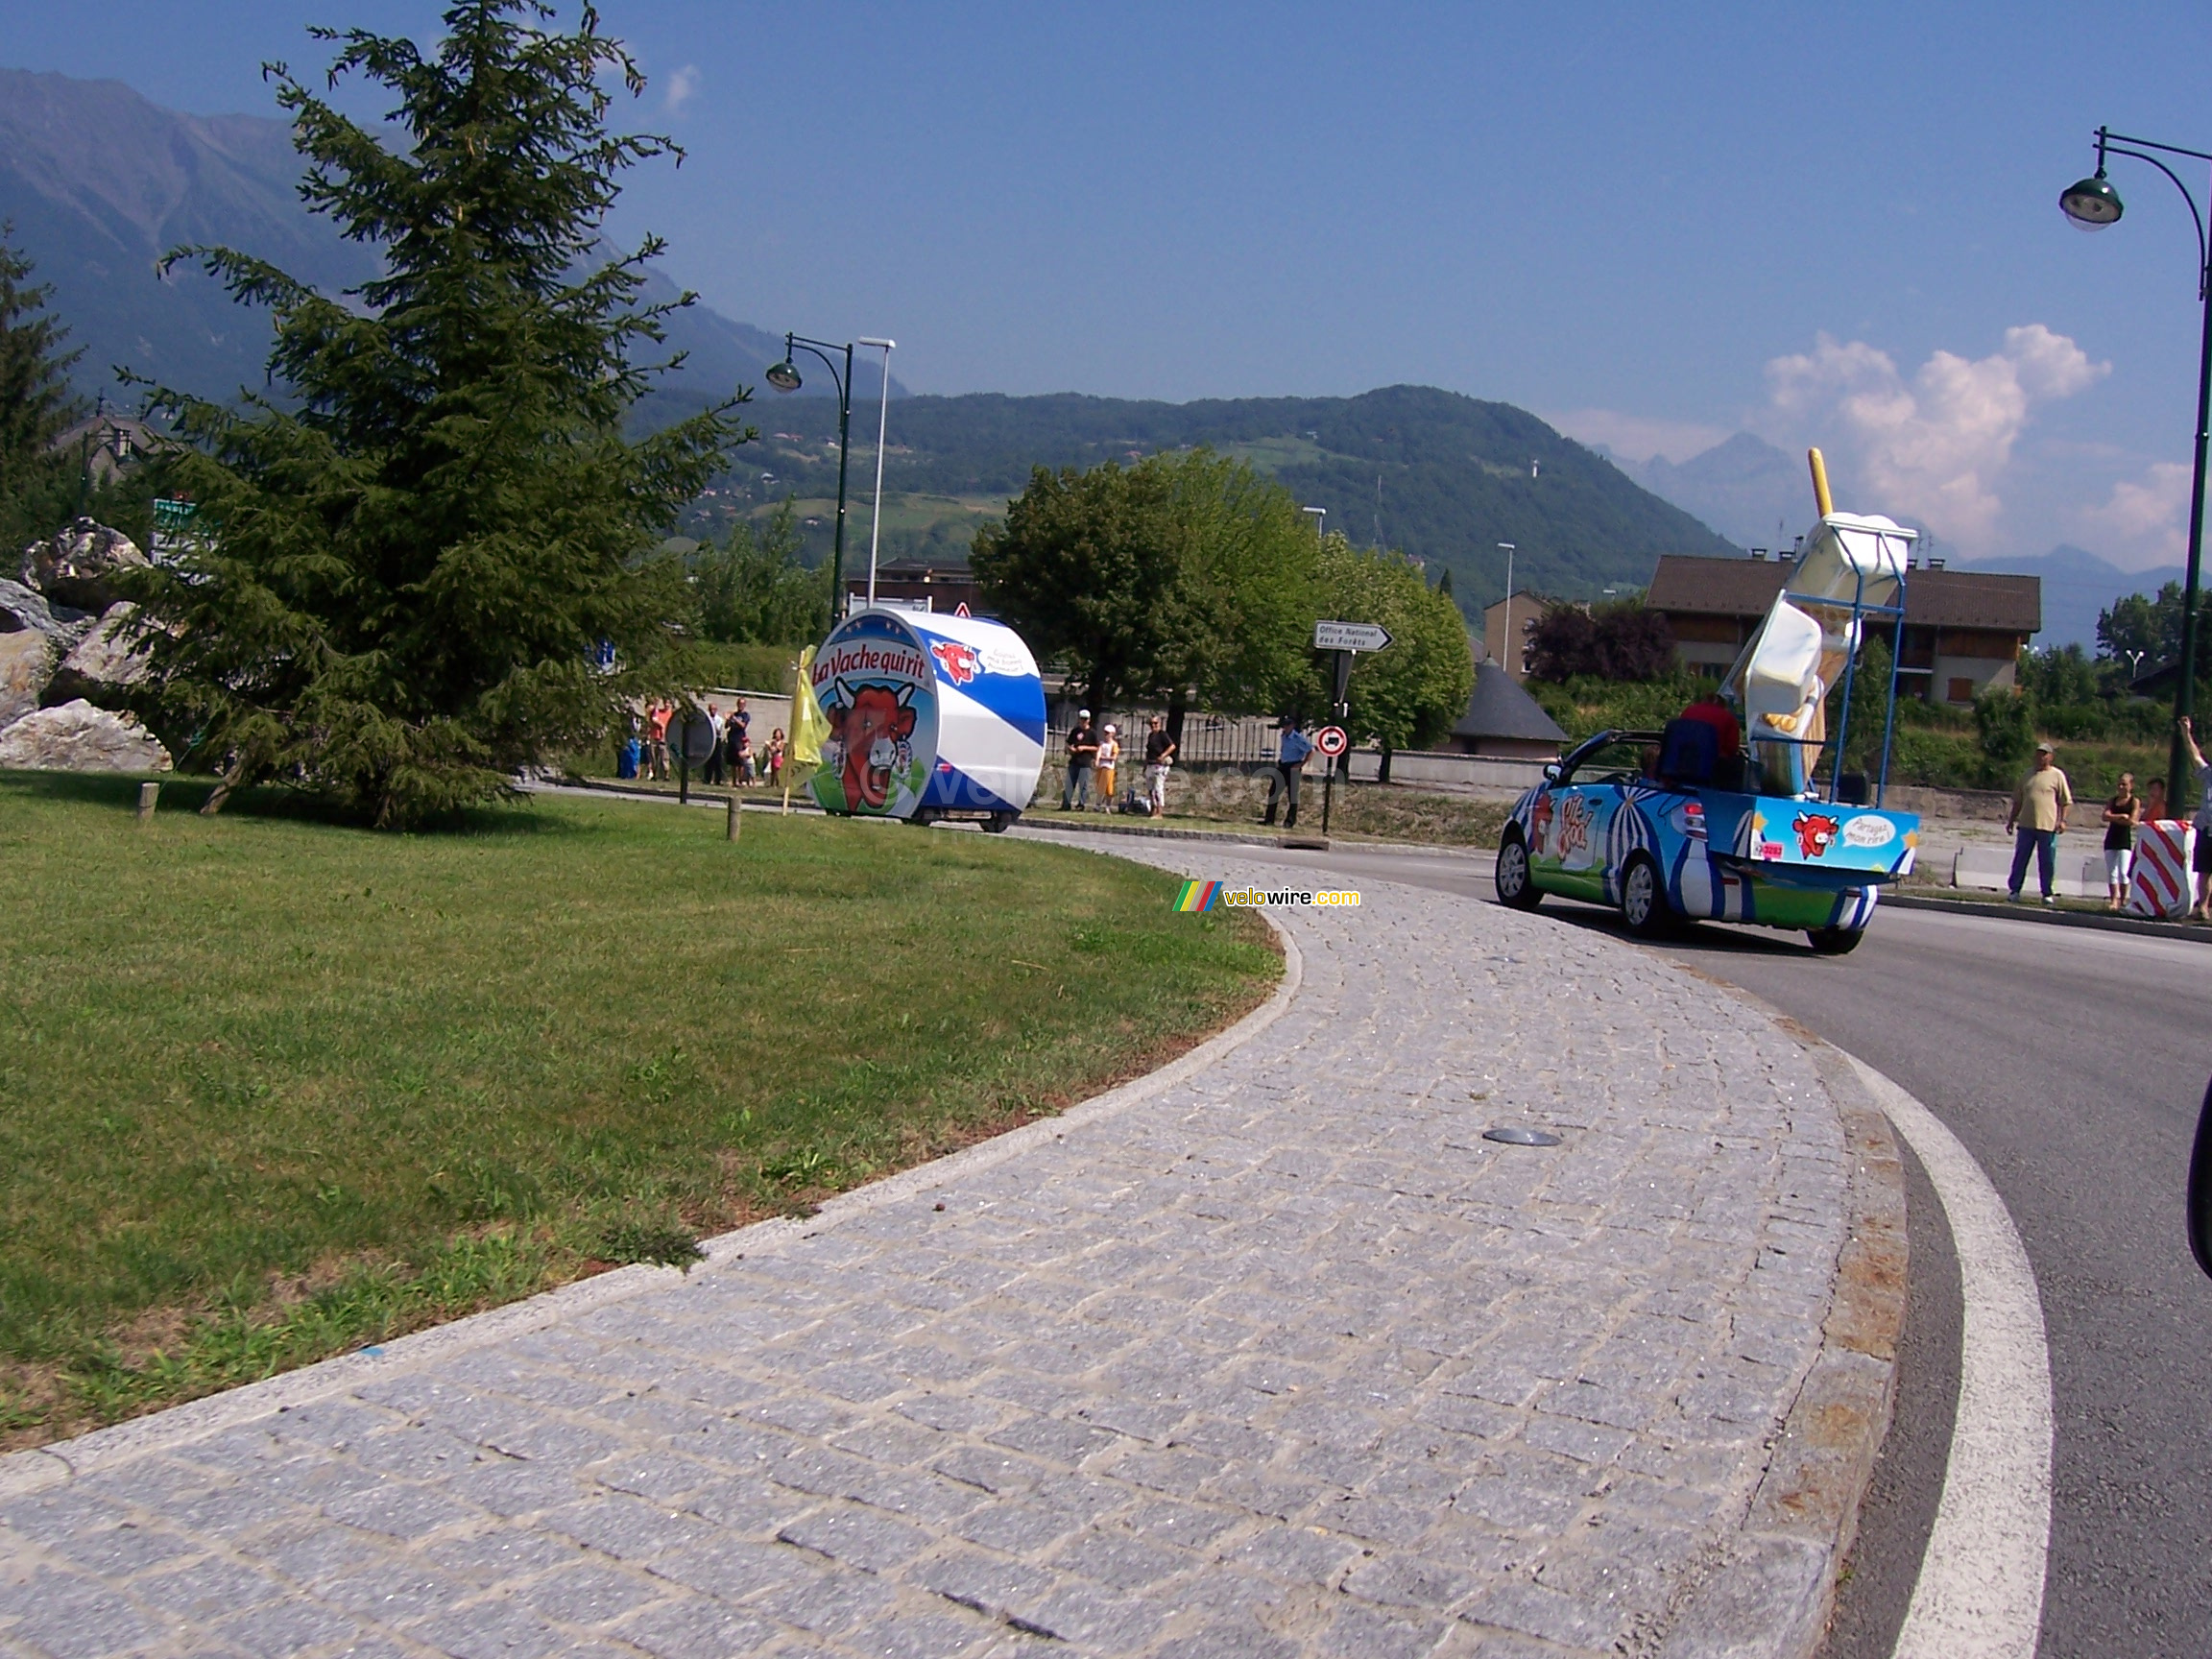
x,y
36,406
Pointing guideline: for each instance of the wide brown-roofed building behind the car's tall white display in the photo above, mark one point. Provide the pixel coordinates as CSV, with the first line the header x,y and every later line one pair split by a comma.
x,y
1963,629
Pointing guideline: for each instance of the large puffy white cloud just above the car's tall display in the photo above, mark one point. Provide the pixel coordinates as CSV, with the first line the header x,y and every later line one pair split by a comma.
x,y
1932,448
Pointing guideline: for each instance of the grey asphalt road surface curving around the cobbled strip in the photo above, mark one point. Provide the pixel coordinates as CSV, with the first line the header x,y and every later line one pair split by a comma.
x,y
2072,1065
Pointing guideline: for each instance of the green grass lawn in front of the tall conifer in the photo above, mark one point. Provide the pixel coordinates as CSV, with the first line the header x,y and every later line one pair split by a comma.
x,y
275,1087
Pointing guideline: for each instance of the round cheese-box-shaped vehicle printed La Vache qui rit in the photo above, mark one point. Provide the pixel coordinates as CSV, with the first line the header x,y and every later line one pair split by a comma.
x,y
930,718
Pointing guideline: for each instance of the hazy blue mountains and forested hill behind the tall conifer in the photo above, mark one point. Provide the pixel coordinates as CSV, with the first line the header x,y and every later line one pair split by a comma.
x,y
101,182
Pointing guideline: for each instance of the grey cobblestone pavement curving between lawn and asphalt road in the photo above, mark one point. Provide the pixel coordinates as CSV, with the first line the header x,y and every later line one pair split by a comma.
x,y
1284,1359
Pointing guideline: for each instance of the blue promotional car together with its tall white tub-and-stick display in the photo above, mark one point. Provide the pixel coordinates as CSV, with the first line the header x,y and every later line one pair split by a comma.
x,y
1687,824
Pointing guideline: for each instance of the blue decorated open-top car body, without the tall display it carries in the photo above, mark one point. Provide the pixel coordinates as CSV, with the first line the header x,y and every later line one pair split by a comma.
x,y
1625,822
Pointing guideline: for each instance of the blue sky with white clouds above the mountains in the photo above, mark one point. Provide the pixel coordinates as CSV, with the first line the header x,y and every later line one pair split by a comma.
x,y
1649,225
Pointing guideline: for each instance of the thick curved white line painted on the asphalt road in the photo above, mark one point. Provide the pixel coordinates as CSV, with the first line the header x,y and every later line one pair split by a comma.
x,y
1981,1592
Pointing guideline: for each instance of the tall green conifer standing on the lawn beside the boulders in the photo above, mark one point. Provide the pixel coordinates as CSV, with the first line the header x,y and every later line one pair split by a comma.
x,y
419,545
